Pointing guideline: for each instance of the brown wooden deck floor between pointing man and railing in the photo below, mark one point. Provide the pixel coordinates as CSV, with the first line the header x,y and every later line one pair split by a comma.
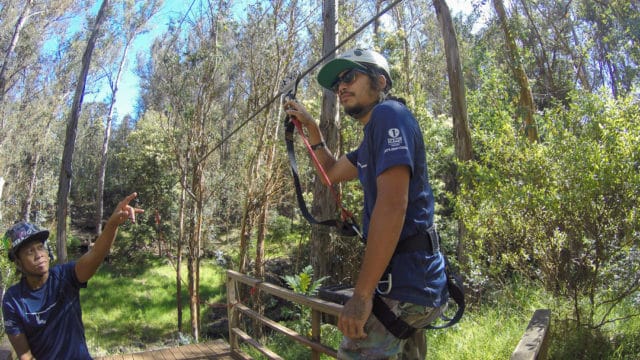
x,y
217,349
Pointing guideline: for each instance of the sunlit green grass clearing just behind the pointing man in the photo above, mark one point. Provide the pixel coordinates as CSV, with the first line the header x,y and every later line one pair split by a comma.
x,y
129,306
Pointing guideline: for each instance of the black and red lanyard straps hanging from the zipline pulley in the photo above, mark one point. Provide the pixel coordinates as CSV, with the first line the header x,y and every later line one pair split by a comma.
x,y
346,225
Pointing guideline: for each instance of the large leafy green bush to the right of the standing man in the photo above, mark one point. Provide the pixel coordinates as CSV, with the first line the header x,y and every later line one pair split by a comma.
x,y
562,211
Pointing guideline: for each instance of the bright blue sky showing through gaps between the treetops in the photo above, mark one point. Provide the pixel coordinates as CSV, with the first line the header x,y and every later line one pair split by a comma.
x,y
129,87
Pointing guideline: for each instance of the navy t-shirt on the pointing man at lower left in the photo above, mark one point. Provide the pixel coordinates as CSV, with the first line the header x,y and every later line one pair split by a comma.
x,y
50,316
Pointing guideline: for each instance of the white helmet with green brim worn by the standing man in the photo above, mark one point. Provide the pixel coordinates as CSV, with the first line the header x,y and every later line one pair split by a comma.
x,y
355,58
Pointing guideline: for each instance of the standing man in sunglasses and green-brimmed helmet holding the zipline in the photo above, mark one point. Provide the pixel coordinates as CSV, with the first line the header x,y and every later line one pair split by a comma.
x,y
402,262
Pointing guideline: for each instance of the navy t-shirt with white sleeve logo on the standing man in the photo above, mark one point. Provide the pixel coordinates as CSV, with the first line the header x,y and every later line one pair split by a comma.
x,y
393,137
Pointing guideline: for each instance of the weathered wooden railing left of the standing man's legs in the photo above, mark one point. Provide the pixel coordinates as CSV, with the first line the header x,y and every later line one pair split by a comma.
x,y
236,307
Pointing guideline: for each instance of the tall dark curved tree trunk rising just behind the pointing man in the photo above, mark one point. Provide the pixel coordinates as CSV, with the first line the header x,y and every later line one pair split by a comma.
x,y
64,185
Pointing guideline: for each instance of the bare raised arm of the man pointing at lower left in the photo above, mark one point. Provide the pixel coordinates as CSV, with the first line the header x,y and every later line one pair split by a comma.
x,y
88,263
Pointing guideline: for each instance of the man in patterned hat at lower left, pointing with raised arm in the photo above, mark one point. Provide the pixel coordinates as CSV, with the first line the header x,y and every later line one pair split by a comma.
x,y
42,314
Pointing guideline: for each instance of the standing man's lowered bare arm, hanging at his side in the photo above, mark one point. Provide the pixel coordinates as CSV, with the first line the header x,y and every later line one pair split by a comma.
x,y
385,227
